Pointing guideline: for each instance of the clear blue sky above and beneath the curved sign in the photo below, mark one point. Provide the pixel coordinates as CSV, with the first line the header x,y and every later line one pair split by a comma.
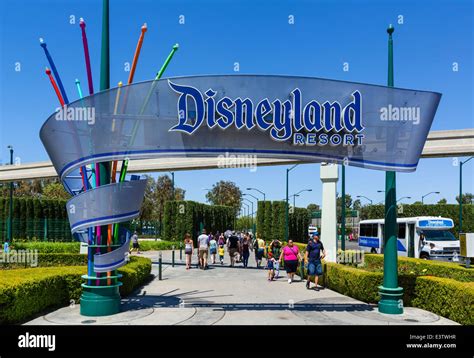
x,y
257,35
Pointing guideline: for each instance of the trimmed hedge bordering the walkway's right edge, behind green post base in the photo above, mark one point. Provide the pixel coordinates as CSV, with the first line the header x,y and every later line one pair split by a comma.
x,y
443,296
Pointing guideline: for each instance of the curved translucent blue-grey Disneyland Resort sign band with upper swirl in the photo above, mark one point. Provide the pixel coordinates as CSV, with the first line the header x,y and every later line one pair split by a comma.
x,y
301,118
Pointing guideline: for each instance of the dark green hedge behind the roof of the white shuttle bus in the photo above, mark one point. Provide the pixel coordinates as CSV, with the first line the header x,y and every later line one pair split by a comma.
x,y
410,210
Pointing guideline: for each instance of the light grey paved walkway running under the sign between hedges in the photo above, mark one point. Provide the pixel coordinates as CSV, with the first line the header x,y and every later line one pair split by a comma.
x,y
223,295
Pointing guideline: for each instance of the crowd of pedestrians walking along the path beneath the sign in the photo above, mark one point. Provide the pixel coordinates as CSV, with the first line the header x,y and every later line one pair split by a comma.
x,y
239,245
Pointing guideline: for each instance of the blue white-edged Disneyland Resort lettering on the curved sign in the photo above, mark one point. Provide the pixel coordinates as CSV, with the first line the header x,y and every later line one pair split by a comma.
x,y
283,119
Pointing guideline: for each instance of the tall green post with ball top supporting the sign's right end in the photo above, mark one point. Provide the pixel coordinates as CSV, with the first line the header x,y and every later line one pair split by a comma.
x,y
390,293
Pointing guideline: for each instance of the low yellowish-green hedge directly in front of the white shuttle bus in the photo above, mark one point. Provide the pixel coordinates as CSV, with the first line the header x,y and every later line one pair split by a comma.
x,y
408,265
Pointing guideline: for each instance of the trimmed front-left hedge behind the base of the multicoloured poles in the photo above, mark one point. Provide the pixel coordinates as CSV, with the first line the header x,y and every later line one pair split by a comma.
x,y
26,292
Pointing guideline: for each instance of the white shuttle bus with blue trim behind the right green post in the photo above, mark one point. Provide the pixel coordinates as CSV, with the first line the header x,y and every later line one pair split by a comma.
x,y
426,237
